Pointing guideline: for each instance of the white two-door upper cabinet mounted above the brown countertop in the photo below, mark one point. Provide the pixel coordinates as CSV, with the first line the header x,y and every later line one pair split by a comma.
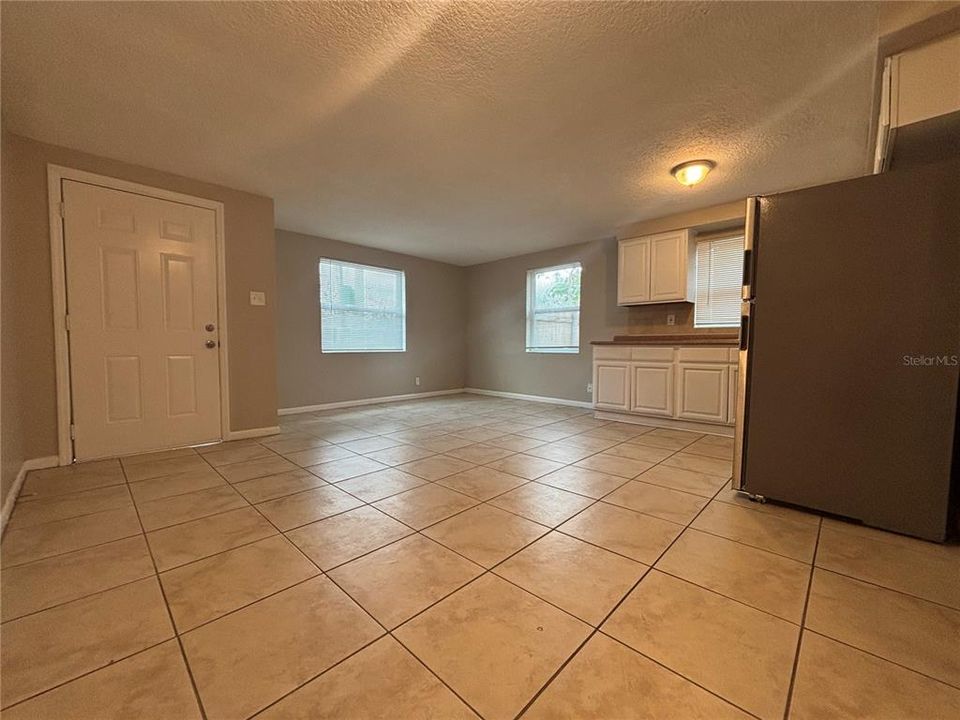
x,y
655,269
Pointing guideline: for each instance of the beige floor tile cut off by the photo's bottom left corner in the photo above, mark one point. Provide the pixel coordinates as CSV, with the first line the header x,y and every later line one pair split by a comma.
x,y
151,685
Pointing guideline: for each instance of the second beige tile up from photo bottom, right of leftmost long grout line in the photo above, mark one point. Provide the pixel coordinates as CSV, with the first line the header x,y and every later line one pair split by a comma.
x,y
206,589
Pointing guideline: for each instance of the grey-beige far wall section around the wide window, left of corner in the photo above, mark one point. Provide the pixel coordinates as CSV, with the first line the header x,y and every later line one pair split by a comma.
x,y
436,312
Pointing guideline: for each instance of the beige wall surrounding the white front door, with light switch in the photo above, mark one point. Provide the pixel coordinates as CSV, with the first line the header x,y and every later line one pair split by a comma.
x,y
28,382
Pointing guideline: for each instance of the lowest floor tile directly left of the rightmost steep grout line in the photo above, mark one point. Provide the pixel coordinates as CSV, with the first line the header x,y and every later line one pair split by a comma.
x,y
743,655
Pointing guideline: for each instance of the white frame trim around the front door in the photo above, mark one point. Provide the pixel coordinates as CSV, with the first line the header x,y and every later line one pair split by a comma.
x,y
57,173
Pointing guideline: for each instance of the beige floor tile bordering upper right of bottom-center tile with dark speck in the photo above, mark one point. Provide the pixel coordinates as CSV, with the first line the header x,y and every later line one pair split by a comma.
x,y
582,579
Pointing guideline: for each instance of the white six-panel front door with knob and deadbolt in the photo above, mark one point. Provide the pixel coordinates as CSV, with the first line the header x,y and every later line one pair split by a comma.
x,y
142,312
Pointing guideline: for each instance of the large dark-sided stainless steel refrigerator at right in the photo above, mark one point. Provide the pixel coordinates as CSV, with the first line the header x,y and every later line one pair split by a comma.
x,y
849,345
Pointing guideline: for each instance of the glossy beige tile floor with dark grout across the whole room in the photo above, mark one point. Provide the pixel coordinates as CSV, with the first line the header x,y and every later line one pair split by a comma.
x,y
456,557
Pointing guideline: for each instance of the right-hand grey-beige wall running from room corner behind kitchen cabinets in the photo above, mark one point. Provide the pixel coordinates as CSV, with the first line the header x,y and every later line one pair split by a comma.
x,y
496,311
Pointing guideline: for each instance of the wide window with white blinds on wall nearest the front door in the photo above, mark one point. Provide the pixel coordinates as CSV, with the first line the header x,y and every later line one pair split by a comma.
x,y
362,308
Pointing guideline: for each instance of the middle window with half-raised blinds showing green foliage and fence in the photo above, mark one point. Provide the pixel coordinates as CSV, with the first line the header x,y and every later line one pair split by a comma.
x,y
553,309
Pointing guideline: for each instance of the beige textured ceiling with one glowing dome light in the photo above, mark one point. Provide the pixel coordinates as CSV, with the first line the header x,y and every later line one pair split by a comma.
x,y
462,132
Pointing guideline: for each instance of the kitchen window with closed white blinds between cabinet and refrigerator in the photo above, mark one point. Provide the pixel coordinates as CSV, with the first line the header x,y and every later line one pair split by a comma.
x,y
719,278
